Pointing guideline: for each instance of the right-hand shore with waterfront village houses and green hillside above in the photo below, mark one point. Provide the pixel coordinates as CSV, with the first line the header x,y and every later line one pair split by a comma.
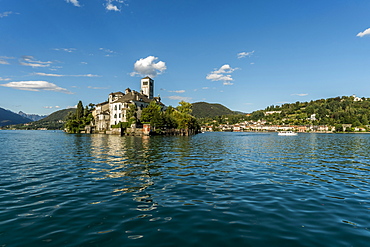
x,y
340,114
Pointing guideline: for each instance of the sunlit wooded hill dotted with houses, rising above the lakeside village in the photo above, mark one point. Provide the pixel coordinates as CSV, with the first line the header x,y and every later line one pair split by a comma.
x,y
331,111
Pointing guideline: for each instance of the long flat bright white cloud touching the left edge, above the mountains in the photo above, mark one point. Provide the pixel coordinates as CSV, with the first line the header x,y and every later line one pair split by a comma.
x,y
36,86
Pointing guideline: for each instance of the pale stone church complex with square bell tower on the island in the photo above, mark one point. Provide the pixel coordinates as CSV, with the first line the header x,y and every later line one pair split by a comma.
x,y
115,110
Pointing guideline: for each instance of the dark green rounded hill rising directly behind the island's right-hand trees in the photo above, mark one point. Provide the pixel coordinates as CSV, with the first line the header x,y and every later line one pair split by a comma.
x,y
203,109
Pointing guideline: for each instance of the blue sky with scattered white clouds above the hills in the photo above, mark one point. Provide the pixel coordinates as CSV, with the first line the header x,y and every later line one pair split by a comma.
x,y
244,54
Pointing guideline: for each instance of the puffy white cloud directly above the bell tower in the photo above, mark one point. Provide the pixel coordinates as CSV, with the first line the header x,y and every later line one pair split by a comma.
x,y
147,67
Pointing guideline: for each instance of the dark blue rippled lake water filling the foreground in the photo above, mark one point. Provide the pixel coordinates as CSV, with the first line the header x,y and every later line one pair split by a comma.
x,y
211,189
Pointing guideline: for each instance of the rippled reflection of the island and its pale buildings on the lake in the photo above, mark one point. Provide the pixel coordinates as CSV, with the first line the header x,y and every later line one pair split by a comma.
x,y
146,167
